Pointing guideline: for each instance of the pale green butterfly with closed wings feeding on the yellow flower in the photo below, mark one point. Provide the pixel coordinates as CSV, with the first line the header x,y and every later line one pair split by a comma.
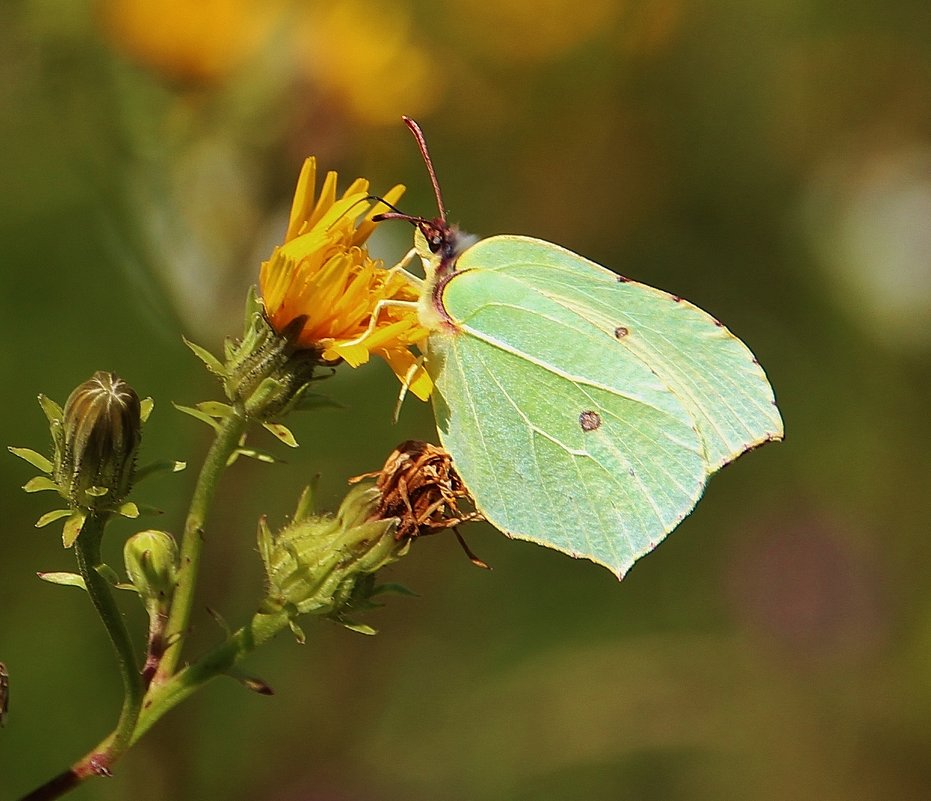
x,y
583,411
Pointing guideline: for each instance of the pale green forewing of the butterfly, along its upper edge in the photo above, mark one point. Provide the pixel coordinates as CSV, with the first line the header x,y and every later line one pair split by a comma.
x,y
711,372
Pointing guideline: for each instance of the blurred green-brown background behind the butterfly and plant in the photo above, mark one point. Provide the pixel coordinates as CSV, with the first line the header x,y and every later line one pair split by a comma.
x,y
768,160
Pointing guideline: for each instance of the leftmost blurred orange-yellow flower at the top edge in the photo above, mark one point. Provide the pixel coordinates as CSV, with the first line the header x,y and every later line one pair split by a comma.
x,y
198,41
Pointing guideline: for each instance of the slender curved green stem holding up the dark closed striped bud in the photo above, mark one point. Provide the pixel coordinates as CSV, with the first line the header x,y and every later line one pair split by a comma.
x,y
87,550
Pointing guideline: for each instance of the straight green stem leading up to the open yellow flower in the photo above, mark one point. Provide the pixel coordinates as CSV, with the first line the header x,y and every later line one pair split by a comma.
x,y
228,435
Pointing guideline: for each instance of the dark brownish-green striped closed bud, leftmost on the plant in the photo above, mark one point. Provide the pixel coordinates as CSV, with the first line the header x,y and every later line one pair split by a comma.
x,y
97,442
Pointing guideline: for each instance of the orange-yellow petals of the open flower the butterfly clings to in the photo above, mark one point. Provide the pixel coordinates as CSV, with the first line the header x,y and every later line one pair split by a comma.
x,y
350,306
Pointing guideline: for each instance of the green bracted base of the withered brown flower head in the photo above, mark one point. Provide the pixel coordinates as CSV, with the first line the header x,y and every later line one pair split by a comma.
x,y
321,565
